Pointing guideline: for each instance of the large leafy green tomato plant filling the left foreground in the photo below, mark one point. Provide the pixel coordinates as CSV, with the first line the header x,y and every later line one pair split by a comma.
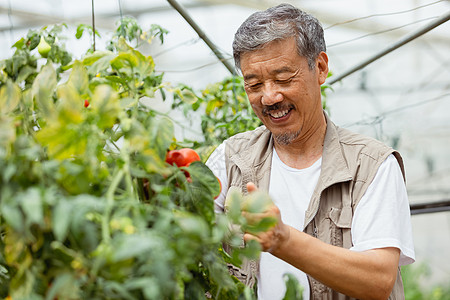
x,y
89,209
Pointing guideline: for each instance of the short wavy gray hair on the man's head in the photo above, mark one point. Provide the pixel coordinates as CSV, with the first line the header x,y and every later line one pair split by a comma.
x,y
278,23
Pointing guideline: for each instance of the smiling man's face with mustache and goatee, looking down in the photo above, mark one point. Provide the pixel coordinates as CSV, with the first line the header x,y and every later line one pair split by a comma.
x,y
283,91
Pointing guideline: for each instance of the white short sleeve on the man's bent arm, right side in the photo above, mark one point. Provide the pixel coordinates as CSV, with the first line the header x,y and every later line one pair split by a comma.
x,y
382,217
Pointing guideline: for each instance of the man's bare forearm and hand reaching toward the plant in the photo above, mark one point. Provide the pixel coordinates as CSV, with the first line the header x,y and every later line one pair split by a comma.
x,y
365,275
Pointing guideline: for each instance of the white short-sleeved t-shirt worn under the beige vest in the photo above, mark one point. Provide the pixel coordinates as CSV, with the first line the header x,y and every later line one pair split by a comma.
x,y
291,190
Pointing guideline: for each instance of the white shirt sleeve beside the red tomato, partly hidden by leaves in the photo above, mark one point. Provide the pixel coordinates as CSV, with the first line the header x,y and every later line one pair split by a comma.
x,y
216,162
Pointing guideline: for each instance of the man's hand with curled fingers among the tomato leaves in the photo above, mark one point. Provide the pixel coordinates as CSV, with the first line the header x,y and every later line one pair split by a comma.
x,y
271,239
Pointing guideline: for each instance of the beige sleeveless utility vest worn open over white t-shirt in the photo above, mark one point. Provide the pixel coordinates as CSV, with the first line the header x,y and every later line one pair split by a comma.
x,y
349,164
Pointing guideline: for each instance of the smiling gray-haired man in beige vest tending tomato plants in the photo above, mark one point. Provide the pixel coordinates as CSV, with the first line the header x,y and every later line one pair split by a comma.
x,y
343,216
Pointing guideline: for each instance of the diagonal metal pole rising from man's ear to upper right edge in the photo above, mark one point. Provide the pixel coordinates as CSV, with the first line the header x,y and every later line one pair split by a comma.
x,y
444,18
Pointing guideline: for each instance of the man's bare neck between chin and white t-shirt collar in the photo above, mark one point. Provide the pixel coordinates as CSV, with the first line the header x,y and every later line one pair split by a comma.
x,y
305,150
